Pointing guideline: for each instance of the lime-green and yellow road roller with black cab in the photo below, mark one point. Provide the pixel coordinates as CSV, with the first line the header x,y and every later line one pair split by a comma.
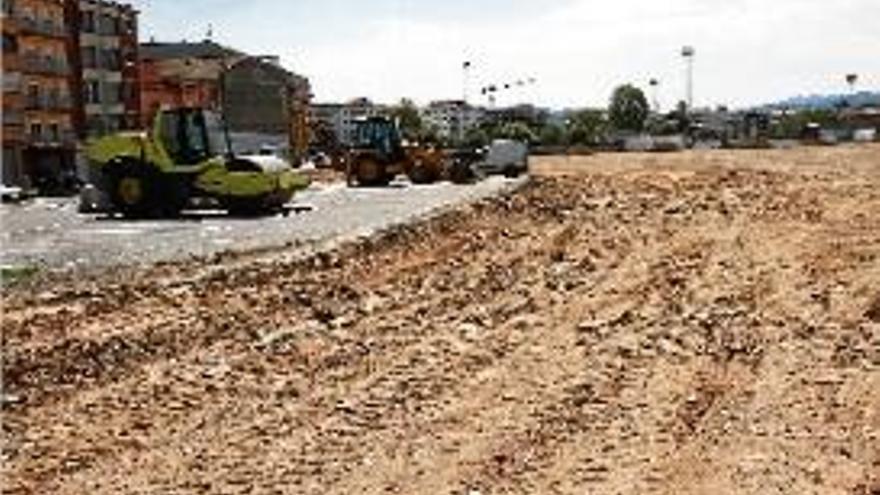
x,y
187,155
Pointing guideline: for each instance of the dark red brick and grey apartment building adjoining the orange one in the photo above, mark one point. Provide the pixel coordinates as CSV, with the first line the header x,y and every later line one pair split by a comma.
x,y
106,75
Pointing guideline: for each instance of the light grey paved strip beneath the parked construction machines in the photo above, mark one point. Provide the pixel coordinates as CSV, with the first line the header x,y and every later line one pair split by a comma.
x,y
51,234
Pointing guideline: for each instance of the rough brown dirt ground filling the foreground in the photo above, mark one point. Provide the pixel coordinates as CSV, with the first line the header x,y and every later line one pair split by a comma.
x,y
690,323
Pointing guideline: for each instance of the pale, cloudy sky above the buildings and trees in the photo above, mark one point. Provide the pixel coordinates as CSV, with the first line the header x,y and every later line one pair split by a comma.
x,y
748,51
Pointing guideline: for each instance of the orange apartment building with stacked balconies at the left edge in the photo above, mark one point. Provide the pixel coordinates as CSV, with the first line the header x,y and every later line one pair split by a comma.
x,y
37,75
